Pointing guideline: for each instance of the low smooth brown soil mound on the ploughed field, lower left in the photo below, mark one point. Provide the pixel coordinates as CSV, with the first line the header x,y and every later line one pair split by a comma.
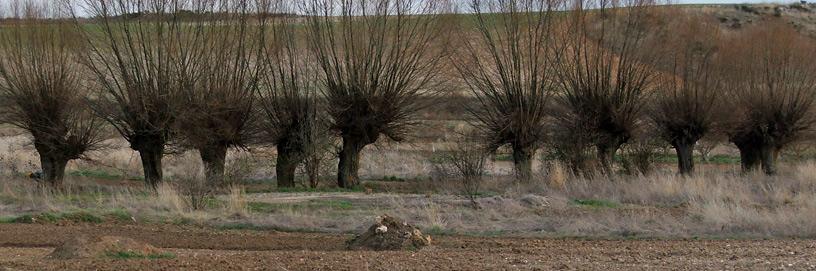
x,y
84,247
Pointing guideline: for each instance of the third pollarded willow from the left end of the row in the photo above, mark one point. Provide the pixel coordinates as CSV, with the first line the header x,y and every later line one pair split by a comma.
x,y
219,77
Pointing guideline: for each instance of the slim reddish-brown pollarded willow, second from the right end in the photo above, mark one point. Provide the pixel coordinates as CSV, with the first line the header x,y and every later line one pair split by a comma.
x,y
688,95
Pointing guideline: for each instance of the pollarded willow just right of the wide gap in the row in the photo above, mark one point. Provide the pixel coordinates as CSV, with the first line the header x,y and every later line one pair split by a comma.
x,y
508,69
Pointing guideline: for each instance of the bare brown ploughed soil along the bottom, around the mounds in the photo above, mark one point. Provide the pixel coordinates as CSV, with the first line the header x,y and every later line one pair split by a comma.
x,y
26,246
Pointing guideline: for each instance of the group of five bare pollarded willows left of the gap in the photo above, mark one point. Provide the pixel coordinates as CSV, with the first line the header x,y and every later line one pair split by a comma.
x,y
239,72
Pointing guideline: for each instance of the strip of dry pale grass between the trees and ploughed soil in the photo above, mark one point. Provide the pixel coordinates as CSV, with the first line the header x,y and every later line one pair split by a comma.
x,y
711,204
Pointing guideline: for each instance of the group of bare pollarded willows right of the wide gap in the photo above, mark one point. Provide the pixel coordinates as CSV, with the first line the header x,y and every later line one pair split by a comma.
x,y
598,76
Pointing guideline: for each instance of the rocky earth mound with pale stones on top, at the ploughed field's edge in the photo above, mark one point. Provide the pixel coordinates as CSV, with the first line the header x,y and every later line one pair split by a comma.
x,y
390,233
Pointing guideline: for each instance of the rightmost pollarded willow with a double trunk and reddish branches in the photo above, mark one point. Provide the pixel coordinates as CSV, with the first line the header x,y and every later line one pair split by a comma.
x,y
772,90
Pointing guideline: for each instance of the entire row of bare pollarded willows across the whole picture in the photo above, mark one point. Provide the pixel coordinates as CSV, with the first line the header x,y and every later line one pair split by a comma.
x,y
236,74
